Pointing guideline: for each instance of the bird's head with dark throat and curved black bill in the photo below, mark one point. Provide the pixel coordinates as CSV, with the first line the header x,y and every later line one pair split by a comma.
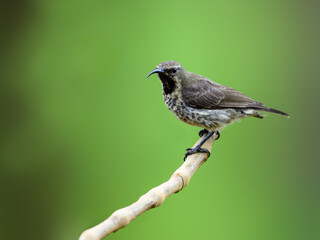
x,y
170,73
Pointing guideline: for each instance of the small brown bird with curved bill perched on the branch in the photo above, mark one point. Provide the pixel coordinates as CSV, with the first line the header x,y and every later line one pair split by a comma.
x,y
198,101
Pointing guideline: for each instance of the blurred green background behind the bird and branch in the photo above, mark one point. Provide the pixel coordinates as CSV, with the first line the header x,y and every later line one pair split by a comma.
x,y
83,134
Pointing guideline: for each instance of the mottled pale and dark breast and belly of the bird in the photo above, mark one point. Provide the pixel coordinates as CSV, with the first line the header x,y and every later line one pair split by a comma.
x,y
204,118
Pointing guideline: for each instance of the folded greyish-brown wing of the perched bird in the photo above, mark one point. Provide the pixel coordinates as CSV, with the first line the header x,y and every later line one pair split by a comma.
x,y
205,94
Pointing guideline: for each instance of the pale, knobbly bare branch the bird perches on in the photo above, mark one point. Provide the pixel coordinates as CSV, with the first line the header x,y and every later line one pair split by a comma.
x,y
154,198
